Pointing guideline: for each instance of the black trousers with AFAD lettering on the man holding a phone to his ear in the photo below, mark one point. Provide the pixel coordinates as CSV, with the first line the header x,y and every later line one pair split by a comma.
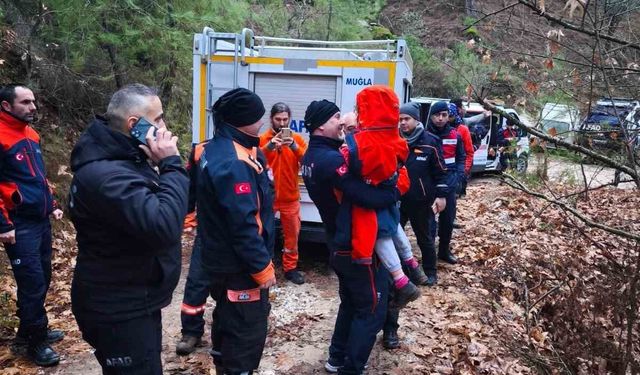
x,y
130,347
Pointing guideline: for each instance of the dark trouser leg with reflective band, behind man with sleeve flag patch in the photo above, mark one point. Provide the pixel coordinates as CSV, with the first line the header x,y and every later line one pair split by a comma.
x,y
196,291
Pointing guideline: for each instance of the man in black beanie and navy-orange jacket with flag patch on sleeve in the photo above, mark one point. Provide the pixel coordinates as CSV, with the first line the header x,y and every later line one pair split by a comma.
x,y
235,217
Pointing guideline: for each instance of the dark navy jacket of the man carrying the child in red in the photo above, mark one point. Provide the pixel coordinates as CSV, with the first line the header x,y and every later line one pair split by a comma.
x,y
325,176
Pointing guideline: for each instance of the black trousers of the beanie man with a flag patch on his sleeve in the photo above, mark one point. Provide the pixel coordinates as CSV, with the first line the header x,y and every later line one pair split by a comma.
x,y
239,329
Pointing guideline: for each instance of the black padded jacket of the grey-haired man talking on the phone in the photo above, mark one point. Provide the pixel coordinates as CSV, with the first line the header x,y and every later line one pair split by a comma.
x,y
128,220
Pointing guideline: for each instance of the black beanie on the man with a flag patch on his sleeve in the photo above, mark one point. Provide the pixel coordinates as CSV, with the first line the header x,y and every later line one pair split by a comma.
x,y
239,107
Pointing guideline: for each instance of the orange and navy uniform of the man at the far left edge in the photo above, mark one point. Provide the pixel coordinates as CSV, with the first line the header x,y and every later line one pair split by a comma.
x,y
25,204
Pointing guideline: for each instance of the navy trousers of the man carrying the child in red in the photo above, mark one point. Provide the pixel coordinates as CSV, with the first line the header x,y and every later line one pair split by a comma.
x,y
363,306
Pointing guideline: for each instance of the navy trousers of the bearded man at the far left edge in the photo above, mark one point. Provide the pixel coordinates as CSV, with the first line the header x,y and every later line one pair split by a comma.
x,y
30,259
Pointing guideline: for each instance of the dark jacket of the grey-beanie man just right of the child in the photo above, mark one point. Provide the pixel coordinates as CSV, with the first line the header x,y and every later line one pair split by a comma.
x,y
427,171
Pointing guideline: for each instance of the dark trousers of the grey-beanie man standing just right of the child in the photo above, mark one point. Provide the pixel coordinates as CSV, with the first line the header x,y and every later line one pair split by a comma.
x,y
421,217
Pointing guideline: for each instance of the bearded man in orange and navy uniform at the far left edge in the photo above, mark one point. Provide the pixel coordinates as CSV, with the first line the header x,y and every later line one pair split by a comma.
x,y
26,201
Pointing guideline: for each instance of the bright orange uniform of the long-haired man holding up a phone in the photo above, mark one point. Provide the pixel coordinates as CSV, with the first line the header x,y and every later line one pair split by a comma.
x,y
285,164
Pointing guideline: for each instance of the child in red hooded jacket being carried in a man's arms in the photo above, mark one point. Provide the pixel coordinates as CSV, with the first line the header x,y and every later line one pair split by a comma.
x,y
377,153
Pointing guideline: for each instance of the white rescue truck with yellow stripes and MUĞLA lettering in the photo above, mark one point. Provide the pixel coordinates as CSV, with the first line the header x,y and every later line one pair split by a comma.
x,y
296,72
